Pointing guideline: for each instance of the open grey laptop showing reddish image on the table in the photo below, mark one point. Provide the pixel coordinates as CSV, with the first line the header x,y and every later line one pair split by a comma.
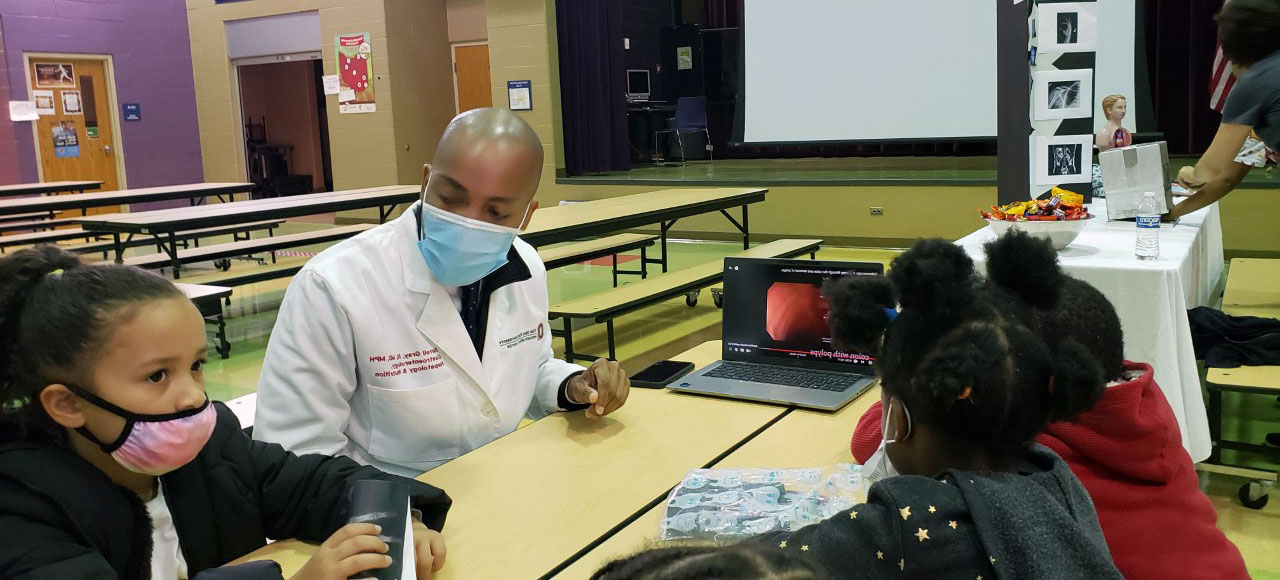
x,y
778,348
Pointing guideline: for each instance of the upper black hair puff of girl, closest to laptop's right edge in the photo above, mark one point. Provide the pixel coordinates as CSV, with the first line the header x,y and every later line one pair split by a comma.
x,y
935,276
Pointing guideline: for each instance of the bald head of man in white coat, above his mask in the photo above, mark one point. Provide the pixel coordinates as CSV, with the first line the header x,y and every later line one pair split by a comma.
x,y
487,167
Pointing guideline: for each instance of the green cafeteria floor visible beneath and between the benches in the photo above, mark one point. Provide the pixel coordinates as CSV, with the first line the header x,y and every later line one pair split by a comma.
x,y
668,330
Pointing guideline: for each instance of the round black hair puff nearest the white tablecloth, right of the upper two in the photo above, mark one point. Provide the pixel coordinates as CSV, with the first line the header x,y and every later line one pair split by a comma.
x,y
1026,267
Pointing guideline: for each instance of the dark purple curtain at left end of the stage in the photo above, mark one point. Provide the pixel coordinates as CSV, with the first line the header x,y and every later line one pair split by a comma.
x,y
593,86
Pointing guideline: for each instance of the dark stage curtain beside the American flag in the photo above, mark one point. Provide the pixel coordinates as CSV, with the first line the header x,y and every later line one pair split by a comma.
x,y
1182,39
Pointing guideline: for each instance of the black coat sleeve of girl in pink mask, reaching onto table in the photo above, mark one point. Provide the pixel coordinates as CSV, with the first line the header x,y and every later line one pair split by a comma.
x,y
307,496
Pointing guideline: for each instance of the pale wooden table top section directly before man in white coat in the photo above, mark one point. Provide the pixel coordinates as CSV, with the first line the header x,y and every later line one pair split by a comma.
x,y
531,501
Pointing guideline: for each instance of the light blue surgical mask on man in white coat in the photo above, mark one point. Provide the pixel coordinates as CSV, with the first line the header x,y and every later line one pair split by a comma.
x,y
461,252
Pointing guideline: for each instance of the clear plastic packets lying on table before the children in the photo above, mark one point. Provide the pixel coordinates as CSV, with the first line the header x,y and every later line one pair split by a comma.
x,y
726,505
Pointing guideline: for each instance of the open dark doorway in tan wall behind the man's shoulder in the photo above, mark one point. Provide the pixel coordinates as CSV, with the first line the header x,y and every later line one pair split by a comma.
x,y
285,113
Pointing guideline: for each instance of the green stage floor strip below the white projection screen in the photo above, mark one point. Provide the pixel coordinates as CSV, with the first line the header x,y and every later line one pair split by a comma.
x,y
977,171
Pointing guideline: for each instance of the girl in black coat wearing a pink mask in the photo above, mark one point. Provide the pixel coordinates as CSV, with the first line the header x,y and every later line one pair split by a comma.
x,y
115,463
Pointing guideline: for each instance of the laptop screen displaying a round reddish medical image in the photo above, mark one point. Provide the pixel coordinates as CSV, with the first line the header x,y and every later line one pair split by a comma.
x,y
775,313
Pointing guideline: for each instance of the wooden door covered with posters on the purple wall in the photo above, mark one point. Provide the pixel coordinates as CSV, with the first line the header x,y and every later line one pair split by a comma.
x,y
76,140
